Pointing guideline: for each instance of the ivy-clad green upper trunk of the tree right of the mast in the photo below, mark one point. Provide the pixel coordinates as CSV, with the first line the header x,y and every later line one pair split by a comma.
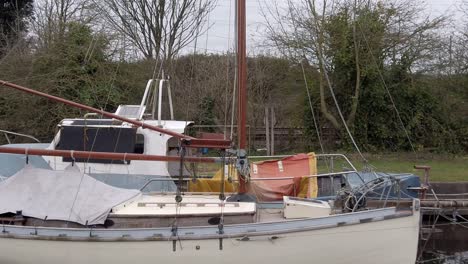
x,y
354,41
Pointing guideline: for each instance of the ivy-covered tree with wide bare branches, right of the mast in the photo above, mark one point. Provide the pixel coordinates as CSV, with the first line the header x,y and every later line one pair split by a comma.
x,y
368,34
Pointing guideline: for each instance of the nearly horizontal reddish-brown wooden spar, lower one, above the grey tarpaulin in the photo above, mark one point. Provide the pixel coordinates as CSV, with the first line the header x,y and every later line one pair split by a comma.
x,y
103,155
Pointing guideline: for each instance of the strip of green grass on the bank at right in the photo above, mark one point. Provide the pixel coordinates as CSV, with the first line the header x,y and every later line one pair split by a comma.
x,y
443,168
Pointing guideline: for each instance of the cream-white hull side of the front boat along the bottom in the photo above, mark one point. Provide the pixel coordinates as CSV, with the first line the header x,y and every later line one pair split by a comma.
x,y
386,241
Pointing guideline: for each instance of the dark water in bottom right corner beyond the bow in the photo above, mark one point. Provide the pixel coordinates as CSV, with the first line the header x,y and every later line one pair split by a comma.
x,y
447,245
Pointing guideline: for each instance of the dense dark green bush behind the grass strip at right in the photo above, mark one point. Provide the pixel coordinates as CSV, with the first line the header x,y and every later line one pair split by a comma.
x,y
378,126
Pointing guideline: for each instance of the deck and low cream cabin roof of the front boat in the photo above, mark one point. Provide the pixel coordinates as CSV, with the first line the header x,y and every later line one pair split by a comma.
x,y
161,210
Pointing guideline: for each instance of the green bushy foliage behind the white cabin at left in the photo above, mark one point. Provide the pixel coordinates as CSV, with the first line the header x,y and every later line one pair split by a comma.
x,y
75,68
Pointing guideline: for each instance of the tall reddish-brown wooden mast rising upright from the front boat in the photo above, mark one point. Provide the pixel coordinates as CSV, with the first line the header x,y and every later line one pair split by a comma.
x,y
241,83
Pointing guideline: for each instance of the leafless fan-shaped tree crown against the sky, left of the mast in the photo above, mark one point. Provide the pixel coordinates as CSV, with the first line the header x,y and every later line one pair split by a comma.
x,y
158,28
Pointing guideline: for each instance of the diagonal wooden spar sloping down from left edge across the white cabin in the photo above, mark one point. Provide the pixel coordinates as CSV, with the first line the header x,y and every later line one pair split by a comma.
x,y
193,142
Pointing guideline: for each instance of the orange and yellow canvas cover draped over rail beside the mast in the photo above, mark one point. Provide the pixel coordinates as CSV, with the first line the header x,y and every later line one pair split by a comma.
x,y
298,167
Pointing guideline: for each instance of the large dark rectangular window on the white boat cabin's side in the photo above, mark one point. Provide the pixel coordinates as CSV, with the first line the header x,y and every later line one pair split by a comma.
x,y
100,139
